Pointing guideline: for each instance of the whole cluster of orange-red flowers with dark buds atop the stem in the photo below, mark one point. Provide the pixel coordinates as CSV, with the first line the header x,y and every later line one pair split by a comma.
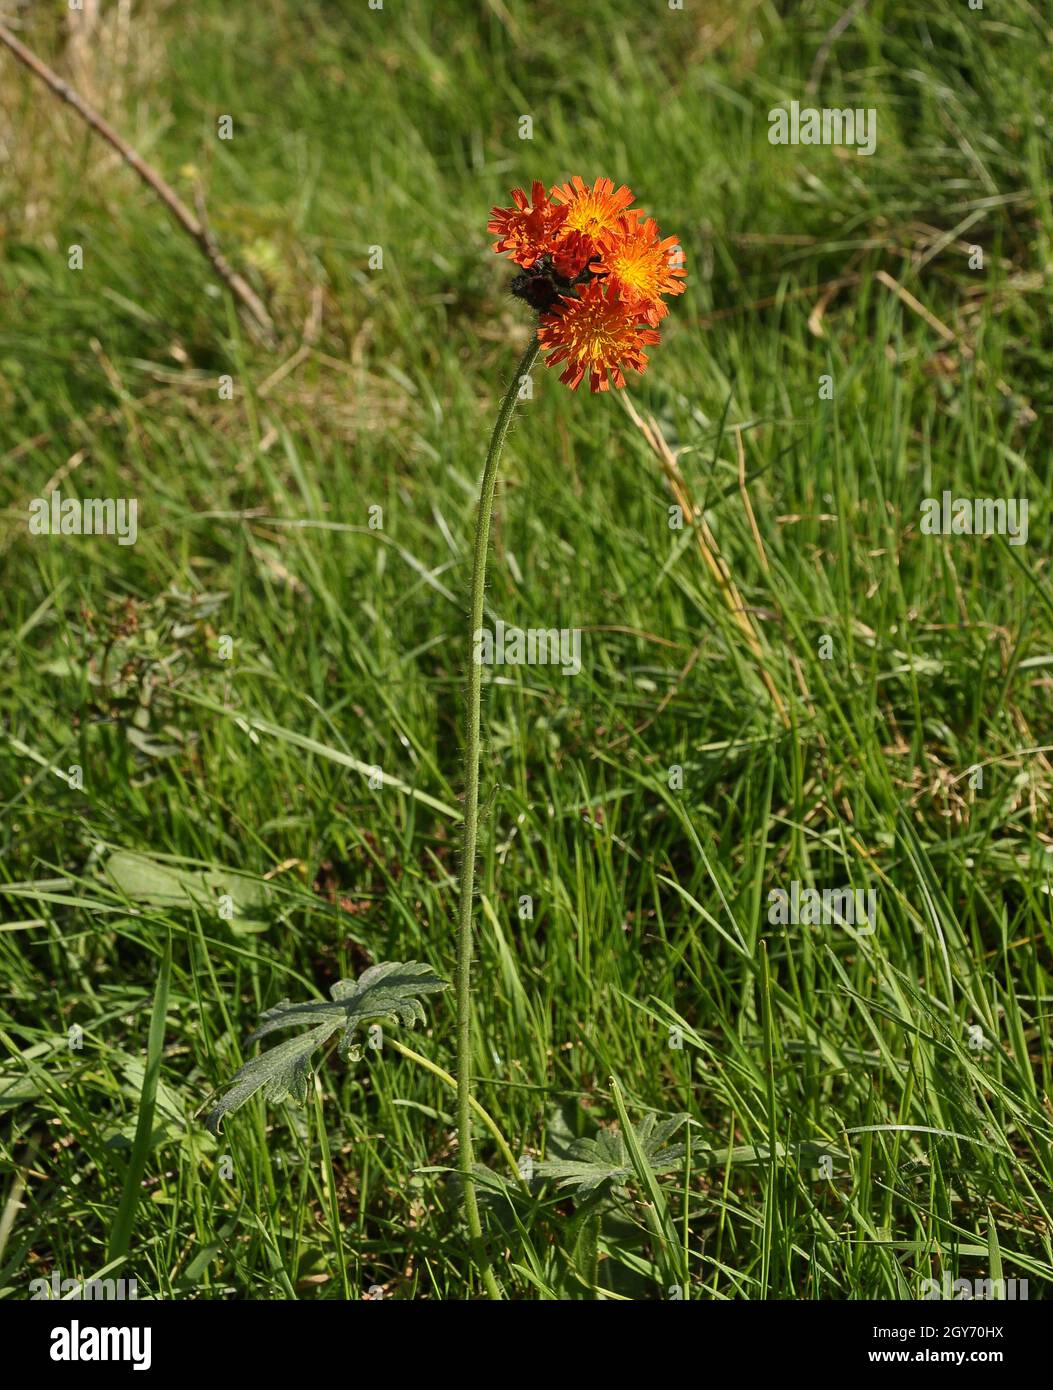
x,y
597,272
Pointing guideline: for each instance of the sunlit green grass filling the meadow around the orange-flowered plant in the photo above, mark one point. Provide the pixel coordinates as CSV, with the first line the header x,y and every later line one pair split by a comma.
x,y
399,129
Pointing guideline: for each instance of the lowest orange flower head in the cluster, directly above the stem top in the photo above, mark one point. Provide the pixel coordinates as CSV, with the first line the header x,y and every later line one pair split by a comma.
x,y
595,333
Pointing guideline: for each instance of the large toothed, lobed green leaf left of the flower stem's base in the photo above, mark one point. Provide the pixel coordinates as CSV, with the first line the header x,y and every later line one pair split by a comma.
x,y
388,992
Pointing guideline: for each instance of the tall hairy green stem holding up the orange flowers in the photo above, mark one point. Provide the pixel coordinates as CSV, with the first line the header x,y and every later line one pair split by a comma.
x,y
472,819
